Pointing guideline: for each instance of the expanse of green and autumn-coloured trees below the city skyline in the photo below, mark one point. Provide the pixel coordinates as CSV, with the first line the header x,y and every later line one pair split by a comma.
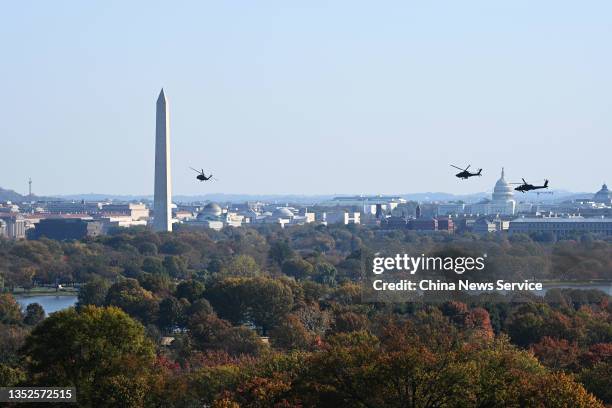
x,y
272,317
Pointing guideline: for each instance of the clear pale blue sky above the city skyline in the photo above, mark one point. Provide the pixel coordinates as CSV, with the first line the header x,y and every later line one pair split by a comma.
x,y
305,97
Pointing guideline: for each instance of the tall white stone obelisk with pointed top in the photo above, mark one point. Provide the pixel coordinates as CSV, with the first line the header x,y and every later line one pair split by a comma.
x,y
162,212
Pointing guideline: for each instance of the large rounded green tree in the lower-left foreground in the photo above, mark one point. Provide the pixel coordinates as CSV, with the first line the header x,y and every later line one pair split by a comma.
x,y
100,351
